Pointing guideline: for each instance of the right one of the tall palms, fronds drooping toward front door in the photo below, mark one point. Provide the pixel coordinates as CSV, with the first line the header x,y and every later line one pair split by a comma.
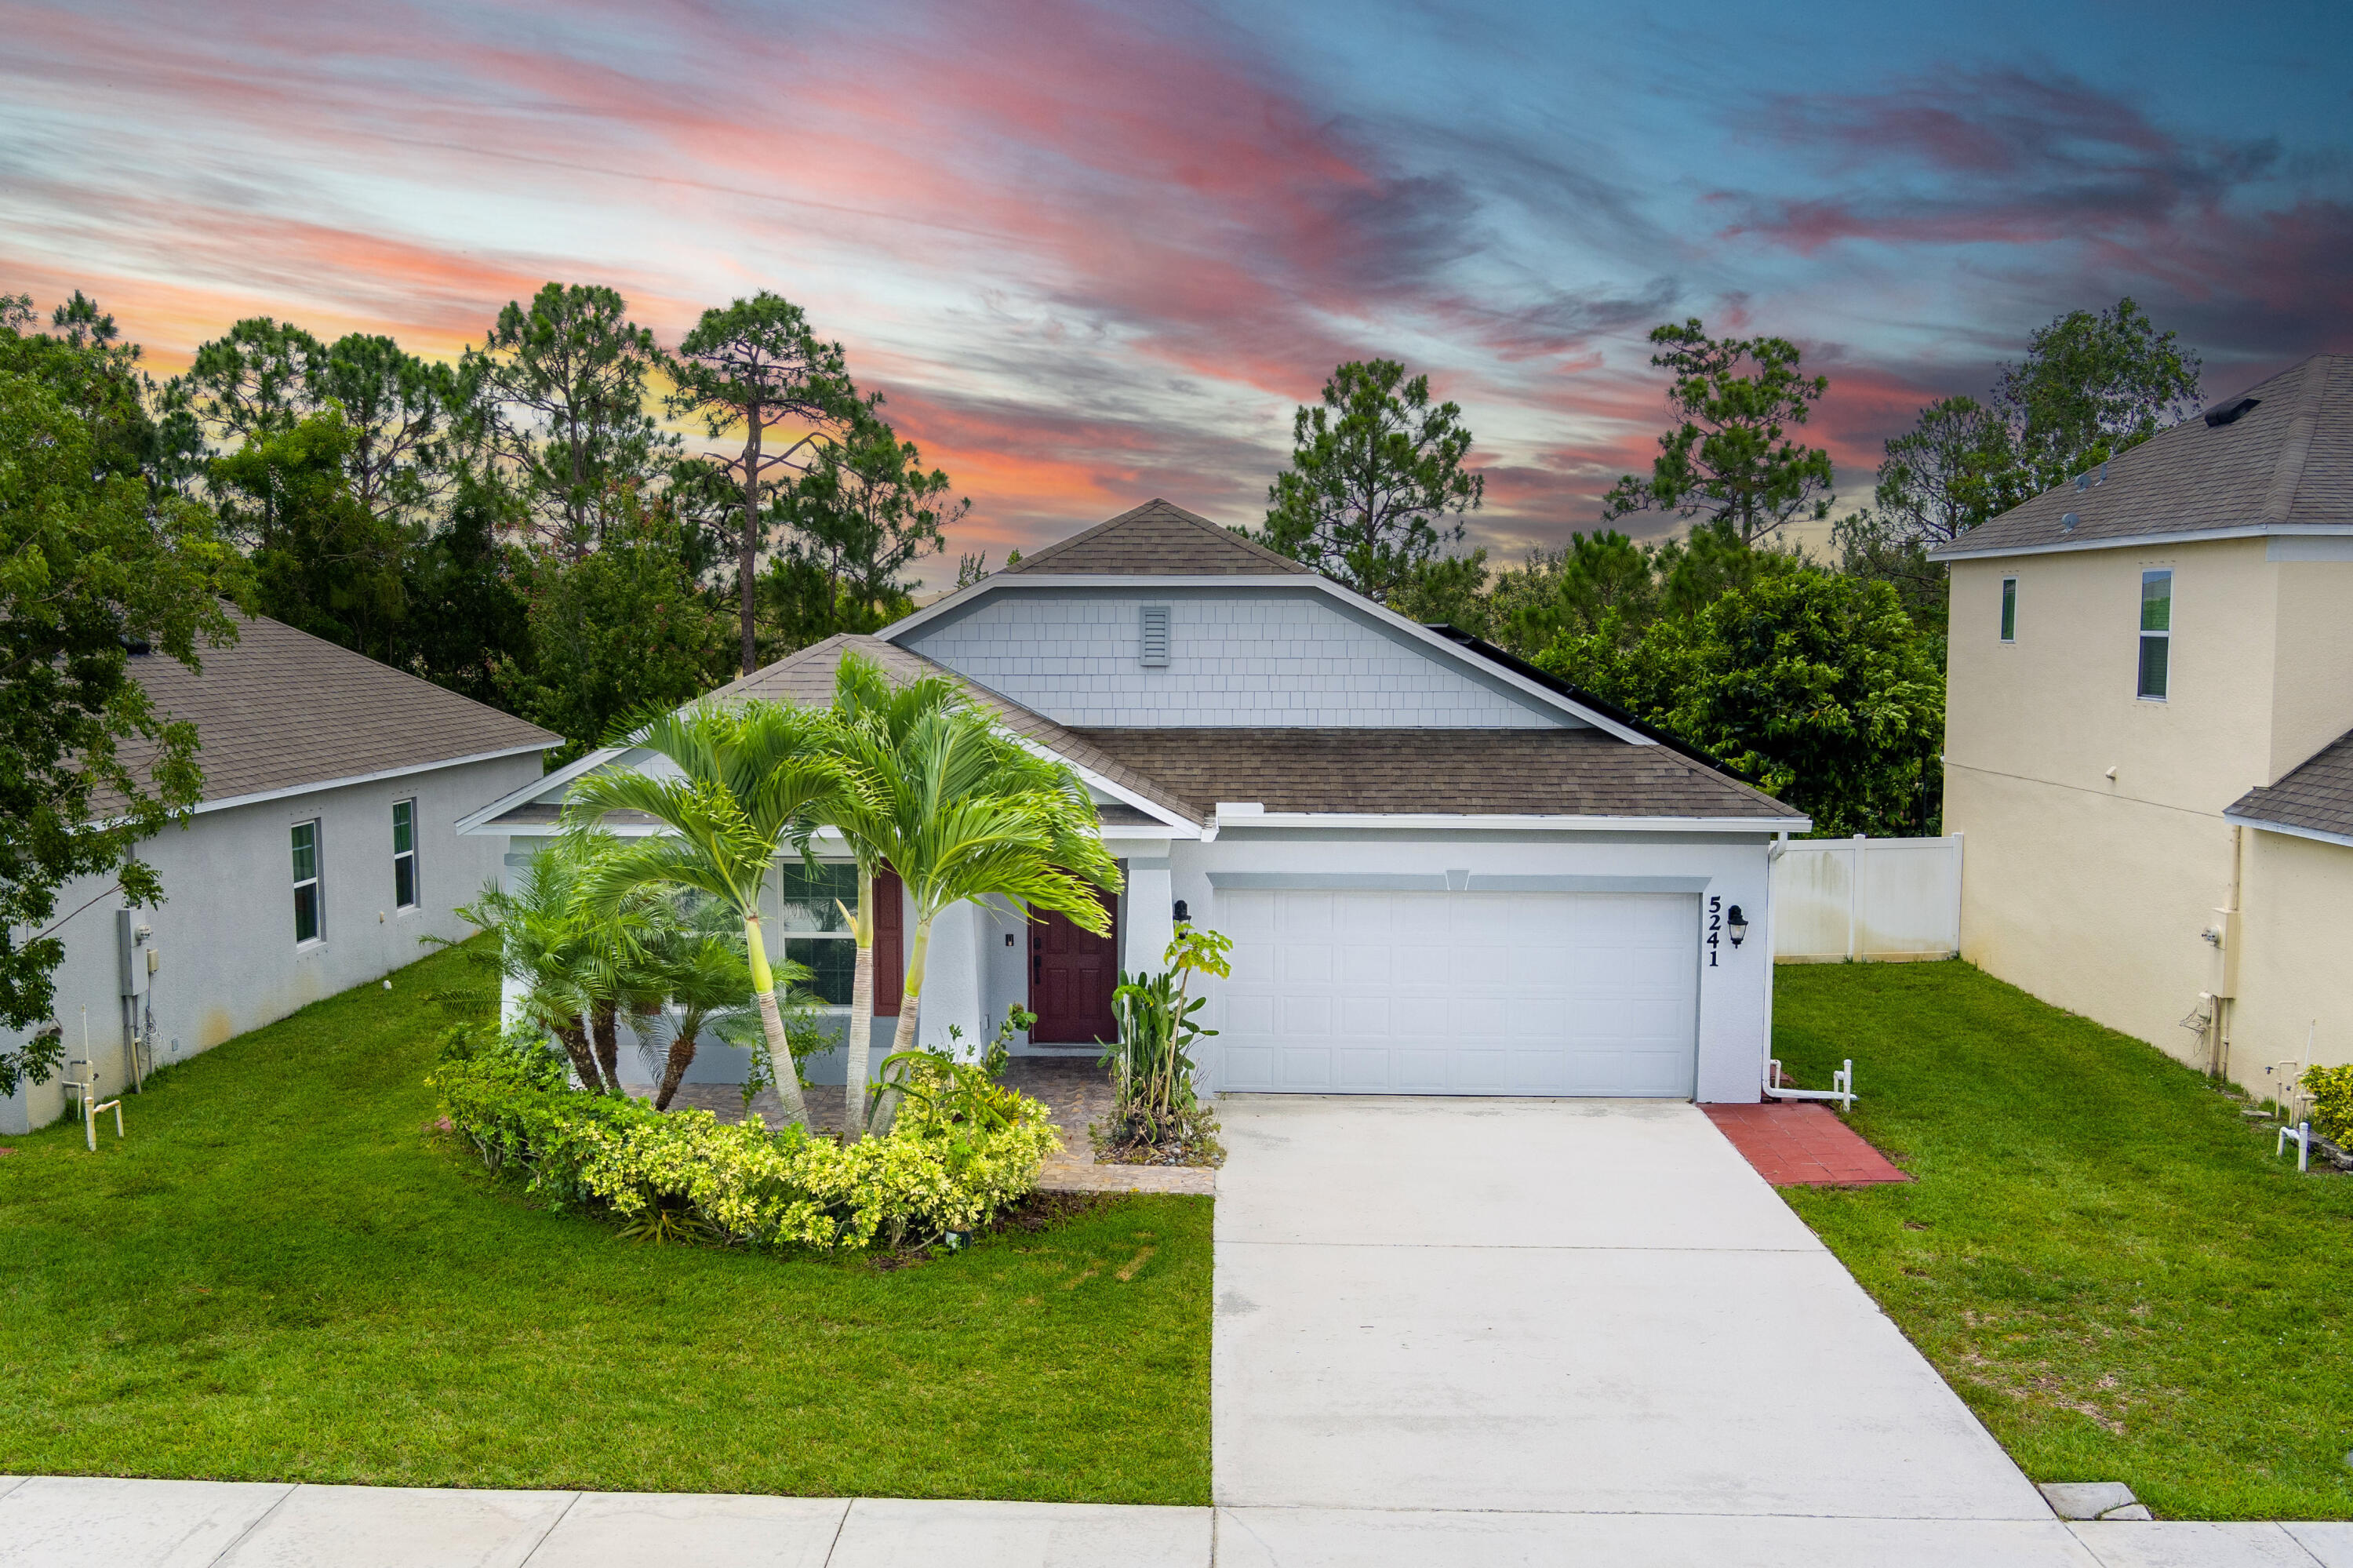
x,y
966,813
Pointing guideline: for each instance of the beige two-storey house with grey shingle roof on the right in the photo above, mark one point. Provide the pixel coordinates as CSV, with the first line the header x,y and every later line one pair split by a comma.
x,y
2152,693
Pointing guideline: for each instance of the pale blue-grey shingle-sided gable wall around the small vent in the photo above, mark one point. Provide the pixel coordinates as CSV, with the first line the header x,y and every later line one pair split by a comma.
x,y
1244,658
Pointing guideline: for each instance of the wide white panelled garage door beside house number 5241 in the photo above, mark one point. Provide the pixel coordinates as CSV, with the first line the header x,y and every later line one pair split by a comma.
x,y
1462,992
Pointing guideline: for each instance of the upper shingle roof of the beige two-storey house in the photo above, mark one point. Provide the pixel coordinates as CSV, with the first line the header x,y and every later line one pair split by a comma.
x,y
2286,460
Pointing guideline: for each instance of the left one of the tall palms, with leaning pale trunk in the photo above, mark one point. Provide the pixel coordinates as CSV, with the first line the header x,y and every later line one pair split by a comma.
x,y
749,780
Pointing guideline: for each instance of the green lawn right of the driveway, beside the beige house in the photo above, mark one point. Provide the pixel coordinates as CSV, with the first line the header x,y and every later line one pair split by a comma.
x,y
2098,1251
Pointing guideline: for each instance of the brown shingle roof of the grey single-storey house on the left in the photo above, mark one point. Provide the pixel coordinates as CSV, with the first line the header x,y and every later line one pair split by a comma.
x,y
284,710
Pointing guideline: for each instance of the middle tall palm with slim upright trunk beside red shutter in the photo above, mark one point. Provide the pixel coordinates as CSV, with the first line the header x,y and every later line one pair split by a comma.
x,y
876,722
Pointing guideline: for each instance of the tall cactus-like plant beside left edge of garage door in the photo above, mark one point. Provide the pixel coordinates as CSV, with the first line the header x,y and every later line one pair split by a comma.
x,y
1159,1110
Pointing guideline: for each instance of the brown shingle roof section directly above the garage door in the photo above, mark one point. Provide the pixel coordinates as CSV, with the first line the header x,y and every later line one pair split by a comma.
x,y
1474,773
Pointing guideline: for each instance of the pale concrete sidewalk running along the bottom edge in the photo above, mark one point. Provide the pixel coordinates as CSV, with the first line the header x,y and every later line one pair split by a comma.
x,y
69,1522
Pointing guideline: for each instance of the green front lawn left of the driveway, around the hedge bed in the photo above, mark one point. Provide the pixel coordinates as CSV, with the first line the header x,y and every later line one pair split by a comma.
x,y
286,1277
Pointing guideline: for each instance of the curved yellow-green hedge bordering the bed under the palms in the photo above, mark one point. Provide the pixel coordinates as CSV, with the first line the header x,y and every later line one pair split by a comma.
x,y
959,1152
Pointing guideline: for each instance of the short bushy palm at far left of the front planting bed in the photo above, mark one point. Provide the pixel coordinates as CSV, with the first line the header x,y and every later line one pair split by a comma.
x,y
568,959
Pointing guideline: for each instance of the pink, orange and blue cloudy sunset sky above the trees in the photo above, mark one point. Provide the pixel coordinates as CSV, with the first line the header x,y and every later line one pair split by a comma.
x,y
1095,255
